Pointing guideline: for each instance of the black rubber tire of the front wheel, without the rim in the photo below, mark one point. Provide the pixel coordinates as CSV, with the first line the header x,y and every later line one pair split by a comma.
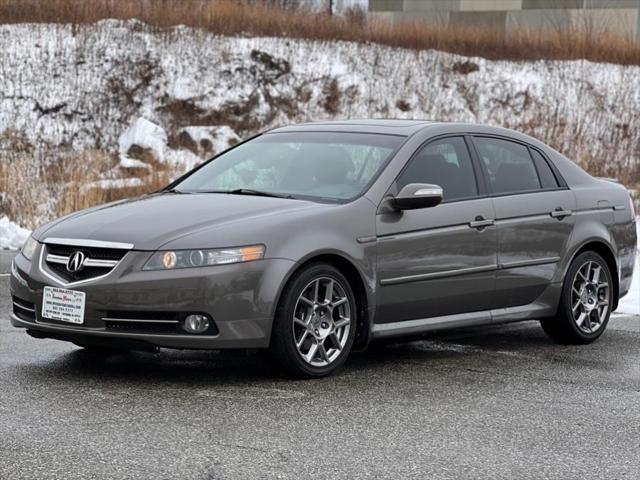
x,y
283,347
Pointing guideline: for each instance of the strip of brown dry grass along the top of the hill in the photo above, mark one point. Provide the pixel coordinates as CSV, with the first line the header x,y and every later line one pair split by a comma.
x,y
240,17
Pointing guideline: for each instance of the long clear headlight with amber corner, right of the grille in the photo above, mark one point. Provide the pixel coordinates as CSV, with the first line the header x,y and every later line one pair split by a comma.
x,y
172,259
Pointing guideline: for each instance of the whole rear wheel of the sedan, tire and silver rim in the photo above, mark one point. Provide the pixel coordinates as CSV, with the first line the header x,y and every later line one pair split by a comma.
x,y
585,305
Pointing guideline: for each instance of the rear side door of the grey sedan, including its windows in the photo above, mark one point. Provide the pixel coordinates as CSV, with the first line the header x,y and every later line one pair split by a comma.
x,y
534,221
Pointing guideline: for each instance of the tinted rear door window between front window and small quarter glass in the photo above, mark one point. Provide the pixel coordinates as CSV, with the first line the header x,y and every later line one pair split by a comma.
x,y
508,165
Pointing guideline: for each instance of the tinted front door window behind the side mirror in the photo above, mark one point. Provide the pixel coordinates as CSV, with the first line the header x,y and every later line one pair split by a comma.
x,y
445,163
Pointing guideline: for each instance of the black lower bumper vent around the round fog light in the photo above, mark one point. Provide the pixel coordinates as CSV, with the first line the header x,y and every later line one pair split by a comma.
x,y
166,323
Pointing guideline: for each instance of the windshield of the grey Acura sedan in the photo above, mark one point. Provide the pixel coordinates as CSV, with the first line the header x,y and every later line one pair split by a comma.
x,y
323,165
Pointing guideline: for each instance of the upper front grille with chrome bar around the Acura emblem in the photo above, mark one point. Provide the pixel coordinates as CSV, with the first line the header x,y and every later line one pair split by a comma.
x,y
97,261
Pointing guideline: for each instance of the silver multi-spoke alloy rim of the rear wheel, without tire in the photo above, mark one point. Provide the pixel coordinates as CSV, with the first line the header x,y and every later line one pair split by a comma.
x,y
590,297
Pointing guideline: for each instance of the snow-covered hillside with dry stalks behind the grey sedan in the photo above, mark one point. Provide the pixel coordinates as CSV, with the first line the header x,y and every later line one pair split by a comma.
x,y
84,86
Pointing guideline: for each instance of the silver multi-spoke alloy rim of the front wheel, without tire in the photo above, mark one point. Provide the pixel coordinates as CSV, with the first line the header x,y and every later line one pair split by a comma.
x,y
321,321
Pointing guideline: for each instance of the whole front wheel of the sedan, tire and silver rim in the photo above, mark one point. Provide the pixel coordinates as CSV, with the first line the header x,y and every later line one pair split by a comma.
x,y
314,327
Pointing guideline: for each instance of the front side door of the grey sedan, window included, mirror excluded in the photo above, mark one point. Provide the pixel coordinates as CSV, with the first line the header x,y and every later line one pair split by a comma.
x,y
441,260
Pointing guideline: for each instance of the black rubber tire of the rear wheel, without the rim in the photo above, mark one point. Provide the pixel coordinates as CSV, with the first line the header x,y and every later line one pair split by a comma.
x,y
563,327
